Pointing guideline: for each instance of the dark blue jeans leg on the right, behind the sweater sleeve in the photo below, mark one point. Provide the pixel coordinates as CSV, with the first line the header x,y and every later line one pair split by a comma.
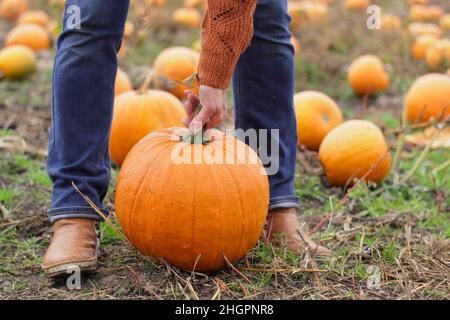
x,y
263,86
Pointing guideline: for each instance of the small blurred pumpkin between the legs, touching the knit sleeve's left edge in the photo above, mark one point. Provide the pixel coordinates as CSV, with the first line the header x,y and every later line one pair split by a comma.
x,y
176,64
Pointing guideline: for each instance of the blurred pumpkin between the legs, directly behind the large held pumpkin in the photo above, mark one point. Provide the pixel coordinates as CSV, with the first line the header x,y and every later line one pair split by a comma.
x,y
137,113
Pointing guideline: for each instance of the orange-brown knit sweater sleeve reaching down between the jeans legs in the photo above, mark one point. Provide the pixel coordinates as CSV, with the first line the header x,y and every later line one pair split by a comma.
x,y
227,32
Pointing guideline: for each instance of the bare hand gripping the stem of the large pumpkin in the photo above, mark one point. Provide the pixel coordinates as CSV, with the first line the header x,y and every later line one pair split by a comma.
x,y
213,112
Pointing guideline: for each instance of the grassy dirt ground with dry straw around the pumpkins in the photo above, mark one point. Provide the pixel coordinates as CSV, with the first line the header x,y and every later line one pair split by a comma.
x,y
397,235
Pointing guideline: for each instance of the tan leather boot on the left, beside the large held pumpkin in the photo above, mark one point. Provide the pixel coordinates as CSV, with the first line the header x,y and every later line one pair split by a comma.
x,y
75,243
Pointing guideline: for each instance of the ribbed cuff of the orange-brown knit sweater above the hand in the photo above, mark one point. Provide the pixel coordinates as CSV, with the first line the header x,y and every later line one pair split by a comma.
x,y
216,69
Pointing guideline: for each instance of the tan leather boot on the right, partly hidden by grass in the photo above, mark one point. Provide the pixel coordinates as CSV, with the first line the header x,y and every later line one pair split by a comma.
x,y
283,229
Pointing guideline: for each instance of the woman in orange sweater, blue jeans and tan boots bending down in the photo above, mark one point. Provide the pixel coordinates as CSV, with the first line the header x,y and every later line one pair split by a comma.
x,y
242,39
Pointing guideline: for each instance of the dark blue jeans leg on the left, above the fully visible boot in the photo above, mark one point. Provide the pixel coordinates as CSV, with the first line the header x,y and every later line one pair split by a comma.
x,y
82,105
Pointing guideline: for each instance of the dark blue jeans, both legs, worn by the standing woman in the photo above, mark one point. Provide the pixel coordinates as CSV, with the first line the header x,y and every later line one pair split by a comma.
x,y
83,99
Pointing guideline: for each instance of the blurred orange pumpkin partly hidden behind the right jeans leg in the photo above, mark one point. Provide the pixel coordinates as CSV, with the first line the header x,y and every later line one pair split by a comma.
x,y
317,114
